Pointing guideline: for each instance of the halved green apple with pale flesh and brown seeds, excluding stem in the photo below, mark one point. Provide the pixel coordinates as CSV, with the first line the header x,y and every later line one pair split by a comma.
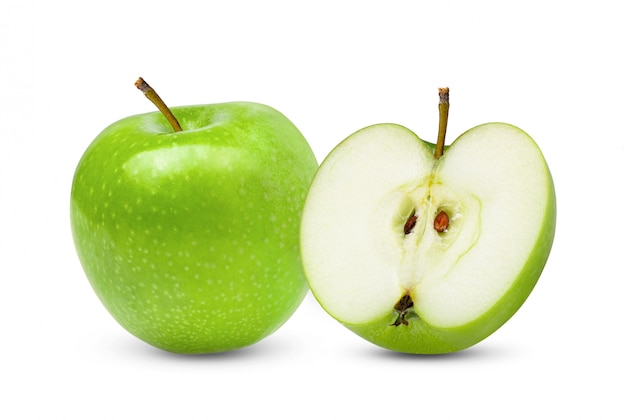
x,y
425,255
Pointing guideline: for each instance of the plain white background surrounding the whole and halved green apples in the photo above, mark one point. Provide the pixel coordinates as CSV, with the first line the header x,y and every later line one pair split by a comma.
x,y
556,69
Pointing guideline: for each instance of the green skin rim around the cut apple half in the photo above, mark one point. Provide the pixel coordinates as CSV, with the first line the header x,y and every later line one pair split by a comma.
x,y
420,337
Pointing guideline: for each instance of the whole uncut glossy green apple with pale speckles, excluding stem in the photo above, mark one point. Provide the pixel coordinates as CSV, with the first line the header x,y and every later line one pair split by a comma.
x,y
190,239
